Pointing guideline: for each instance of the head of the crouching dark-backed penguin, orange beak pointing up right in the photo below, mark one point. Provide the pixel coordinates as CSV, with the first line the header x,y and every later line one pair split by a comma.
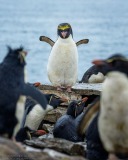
x,y
76,107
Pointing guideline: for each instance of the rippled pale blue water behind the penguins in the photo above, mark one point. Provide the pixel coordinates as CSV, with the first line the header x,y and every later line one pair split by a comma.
x,y
103,22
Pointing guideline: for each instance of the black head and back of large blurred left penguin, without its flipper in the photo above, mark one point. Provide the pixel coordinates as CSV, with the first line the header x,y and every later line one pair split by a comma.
x,y
11,78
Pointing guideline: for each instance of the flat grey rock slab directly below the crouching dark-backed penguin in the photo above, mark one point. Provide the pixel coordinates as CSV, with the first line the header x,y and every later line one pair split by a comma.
x,y
57,144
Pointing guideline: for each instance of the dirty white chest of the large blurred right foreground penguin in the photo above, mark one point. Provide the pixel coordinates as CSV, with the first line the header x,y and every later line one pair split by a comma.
x,y
113,119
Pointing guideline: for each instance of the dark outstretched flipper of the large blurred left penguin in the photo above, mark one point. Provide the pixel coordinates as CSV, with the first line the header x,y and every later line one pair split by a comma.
x,y
31,91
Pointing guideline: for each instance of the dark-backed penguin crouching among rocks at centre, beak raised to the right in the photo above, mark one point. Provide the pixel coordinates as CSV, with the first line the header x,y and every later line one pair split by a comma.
x,y
66,125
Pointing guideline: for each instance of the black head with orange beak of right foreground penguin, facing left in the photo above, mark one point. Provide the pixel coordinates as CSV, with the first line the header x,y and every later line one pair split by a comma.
x,y
116,62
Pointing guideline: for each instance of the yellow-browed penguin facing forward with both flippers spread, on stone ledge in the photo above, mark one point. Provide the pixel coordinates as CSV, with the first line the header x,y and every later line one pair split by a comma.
x,y
62,67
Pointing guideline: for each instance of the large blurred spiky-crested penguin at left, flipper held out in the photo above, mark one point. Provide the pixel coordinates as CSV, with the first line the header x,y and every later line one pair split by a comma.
x,y
14,89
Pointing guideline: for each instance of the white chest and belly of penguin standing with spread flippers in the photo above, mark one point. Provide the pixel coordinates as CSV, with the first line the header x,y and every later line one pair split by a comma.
x,y
62,65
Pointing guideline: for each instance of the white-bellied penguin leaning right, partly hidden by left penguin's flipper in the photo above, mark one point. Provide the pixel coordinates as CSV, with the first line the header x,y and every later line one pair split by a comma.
x,y
34,113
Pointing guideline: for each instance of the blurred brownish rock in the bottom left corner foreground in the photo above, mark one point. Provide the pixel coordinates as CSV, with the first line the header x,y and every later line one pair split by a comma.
x,y
10,150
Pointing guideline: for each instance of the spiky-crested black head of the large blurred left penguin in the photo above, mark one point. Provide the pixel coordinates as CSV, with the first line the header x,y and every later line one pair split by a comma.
x,y
16,55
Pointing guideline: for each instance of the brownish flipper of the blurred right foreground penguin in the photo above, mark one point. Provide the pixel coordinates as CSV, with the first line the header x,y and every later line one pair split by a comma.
x,y
88,116
